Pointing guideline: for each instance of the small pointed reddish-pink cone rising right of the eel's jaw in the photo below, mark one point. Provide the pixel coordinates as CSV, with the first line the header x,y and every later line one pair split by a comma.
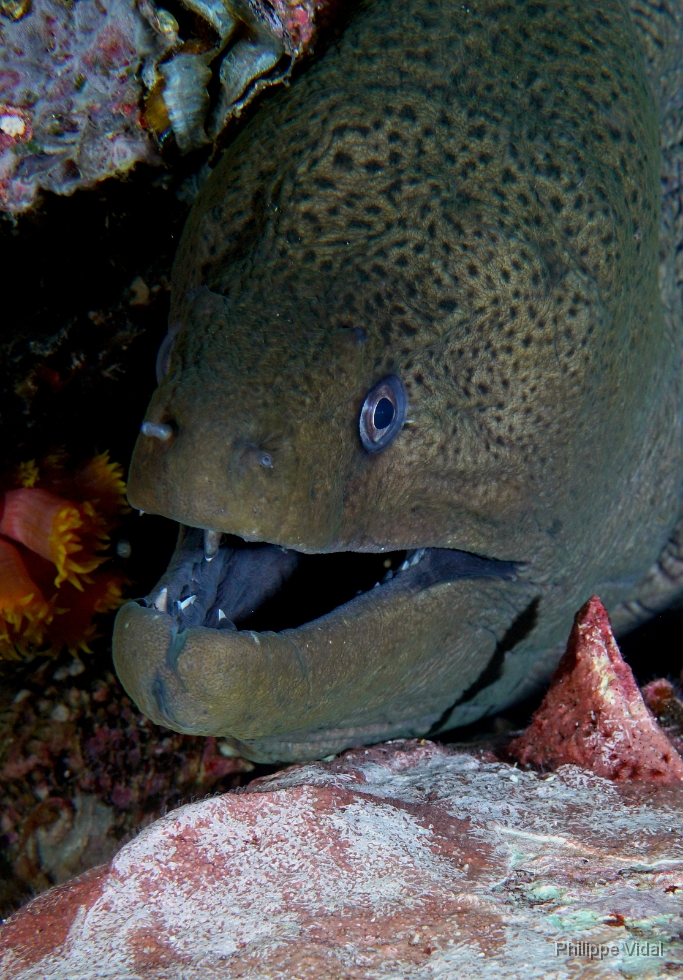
x,y
594,715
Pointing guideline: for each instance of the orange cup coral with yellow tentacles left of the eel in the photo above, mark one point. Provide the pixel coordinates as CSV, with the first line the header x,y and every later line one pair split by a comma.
x,y
53,530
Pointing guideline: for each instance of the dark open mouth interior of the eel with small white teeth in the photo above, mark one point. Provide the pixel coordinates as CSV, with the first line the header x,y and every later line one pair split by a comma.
x,y
223,582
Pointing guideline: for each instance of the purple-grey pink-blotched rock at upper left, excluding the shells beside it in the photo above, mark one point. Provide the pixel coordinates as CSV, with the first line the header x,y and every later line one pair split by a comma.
x,y
69,97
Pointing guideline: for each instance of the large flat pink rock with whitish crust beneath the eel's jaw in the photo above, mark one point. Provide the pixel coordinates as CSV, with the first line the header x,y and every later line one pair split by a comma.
x,y
403,861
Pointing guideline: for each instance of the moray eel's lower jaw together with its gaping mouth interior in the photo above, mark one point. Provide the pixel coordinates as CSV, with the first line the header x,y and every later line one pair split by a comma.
x,y
294,656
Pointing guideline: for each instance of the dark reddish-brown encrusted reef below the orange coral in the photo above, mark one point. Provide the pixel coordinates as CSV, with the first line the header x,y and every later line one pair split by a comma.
x,y
82,771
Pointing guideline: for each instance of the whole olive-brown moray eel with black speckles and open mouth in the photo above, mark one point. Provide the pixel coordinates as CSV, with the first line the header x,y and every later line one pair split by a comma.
x,y
425,321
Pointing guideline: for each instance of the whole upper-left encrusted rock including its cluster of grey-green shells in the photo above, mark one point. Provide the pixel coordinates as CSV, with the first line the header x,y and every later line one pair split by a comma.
x,y
89,90
